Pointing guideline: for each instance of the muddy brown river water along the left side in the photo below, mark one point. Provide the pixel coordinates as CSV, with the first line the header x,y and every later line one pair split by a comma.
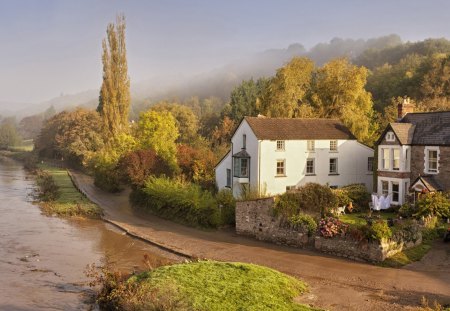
x,y
42,259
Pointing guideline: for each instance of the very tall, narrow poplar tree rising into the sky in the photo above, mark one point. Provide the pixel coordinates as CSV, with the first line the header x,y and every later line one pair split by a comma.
x,y
114,101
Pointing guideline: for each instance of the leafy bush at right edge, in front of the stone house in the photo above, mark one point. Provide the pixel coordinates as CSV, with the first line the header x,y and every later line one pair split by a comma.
x,y
434,204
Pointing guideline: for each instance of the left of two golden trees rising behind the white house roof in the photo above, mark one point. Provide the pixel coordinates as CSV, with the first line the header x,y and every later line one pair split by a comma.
x,y
289,88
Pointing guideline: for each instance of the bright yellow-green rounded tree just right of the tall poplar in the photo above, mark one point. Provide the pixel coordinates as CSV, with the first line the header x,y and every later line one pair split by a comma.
x,y
158,131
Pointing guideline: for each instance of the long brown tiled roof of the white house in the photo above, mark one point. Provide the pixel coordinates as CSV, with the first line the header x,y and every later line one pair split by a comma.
x,y
297,129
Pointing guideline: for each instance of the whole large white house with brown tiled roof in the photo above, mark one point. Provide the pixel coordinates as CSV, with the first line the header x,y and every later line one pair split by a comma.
x,y
272,155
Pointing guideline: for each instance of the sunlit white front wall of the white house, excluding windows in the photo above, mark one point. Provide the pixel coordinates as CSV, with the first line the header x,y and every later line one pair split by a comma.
x,y
352,164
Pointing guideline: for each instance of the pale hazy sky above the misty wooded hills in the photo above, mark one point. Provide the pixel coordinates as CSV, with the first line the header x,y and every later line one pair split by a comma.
x,y
53,47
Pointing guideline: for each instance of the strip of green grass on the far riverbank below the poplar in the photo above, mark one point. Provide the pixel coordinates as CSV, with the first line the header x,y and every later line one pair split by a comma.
x,y
70,202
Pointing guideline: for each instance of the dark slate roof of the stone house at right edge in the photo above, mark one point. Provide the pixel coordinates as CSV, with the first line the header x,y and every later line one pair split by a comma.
x,y
431,128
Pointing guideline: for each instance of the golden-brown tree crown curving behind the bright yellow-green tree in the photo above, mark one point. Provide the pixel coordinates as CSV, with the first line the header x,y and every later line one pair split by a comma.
x,y
186,121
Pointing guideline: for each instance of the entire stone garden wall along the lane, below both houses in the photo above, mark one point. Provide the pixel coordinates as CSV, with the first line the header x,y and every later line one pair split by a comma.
x,y
255,218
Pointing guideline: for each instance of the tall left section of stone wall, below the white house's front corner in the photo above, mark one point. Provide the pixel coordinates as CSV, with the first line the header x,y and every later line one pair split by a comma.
x,y
256,219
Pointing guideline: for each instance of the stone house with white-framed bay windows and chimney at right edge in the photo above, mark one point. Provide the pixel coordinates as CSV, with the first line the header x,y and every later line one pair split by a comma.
x,y
414,154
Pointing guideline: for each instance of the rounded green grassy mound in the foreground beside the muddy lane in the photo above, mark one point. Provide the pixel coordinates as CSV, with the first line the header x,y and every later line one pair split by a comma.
x,y
209,285
